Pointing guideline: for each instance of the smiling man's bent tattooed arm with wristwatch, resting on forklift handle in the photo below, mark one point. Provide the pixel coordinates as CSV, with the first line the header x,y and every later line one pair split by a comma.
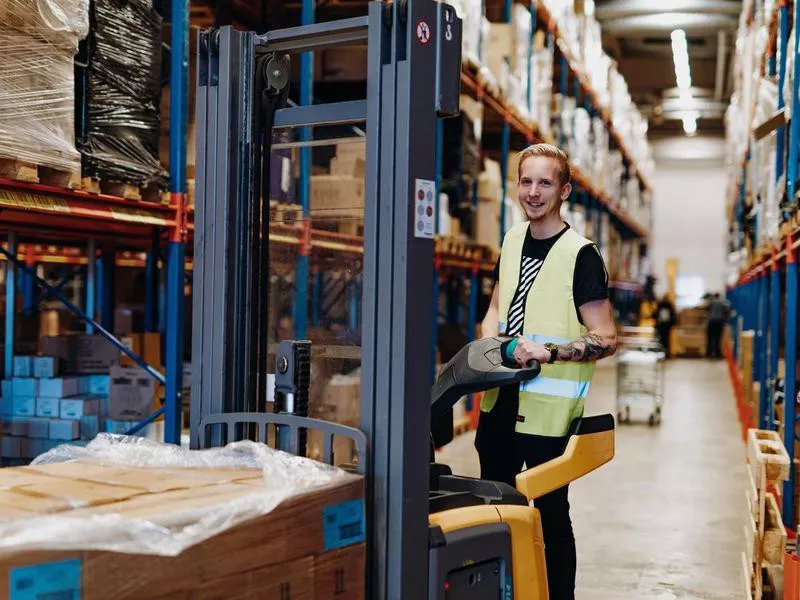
x,y
599,342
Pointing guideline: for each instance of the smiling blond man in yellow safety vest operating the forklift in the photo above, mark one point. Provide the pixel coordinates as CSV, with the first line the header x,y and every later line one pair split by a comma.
x,y
551,296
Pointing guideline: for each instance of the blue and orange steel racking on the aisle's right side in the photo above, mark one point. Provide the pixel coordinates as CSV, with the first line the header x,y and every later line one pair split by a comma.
x,y
758,297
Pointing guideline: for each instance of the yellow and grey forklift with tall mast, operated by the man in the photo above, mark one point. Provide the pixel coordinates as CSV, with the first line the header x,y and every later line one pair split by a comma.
x,y
429,534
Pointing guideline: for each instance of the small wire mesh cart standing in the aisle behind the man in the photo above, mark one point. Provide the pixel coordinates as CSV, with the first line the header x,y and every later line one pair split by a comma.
x,y
640,379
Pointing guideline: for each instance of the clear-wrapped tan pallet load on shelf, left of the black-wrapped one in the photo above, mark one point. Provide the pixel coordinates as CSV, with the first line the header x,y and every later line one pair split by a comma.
x,y
37,97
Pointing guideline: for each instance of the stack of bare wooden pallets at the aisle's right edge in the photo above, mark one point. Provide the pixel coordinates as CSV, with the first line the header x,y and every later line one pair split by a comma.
x,y
765,536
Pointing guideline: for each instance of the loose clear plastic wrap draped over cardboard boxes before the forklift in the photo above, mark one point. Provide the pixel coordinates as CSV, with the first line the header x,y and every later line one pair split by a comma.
x,y
284,476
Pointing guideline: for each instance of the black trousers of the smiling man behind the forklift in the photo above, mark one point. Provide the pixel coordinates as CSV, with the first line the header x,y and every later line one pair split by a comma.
x,y
502,453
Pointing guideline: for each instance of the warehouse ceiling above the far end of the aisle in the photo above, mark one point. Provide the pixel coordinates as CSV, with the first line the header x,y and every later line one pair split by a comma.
x,y
637,34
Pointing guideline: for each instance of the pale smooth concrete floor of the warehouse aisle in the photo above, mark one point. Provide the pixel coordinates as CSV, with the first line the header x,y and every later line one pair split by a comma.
x,y
664,519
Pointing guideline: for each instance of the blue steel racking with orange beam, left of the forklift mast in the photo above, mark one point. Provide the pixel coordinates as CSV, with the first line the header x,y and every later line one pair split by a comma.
x,y
72,217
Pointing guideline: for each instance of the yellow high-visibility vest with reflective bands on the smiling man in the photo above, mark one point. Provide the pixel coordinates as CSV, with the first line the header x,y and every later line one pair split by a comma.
x,y
549,403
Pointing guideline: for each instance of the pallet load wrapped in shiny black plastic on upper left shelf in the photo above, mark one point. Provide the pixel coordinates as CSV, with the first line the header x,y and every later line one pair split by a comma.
x,y
123,94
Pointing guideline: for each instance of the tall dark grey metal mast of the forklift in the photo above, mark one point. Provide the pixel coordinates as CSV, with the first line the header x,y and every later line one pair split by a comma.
x,y
414,69
